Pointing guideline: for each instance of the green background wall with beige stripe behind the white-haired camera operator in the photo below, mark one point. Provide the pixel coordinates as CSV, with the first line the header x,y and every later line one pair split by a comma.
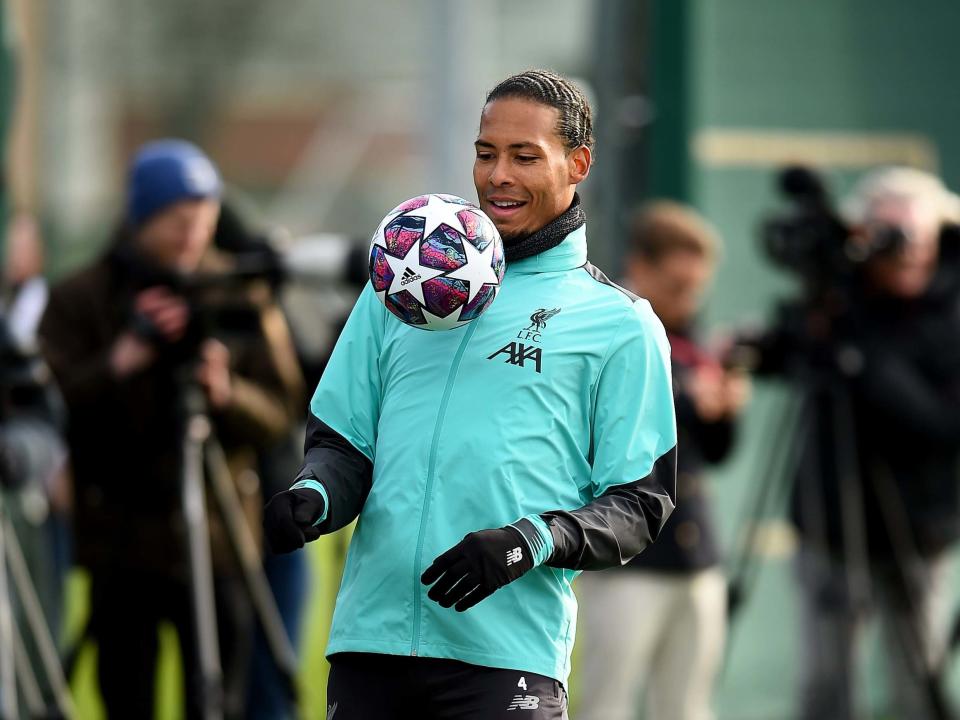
x,y
847,83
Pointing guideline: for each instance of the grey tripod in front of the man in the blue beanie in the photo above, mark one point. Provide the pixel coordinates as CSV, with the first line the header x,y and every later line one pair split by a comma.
x,y
201,452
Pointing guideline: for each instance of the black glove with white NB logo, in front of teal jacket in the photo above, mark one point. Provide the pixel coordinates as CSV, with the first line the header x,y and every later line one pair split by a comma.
x,y
477,566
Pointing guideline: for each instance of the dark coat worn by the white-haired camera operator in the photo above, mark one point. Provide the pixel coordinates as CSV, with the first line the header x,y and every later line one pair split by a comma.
x,y
880,463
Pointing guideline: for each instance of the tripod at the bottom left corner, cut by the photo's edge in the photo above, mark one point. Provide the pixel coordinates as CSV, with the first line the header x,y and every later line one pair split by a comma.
x,y
16,671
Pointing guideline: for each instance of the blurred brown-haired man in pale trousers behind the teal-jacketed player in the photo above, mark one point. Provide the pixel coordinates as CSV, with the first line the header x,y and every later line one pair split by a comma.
x,y
671,651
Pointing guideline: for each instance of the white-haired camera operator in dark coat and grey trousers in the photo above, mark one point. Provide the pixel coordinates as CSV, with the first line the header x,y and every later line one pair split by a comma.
x,y
876,498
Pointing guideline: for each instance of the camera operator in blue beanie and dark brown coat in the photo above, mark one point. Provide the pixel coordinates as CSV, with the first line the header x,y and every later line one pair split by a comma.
x,y
124,337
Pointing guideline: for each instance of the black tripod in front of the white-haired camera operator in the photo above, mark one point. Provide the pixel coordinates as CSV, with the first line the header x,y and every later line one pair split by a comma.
x,y
824,394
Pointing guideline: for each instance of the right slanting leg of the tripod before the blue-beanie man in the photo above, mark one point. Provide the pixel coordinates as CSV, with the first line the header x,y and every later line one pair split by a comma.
x,y
248,554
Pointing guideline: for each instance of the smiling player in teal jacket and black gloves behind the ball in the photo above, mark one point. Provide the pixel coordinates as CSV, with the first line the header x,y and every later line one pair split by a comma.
x,y
429,436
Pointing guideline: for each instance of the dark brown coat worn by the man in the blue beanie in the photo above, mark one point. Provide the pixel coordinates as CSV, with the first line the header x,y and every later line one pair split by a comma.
x,y
125,435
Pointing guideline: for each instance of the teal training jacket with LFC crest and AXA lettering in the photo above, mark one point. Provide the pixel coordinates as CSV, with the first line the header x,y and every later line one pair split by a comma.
x,y
559,394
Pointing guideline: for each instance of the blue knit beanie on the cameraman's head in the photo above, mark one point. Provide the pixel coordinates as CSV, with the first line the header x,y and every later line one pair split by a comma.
x,y
164,172
